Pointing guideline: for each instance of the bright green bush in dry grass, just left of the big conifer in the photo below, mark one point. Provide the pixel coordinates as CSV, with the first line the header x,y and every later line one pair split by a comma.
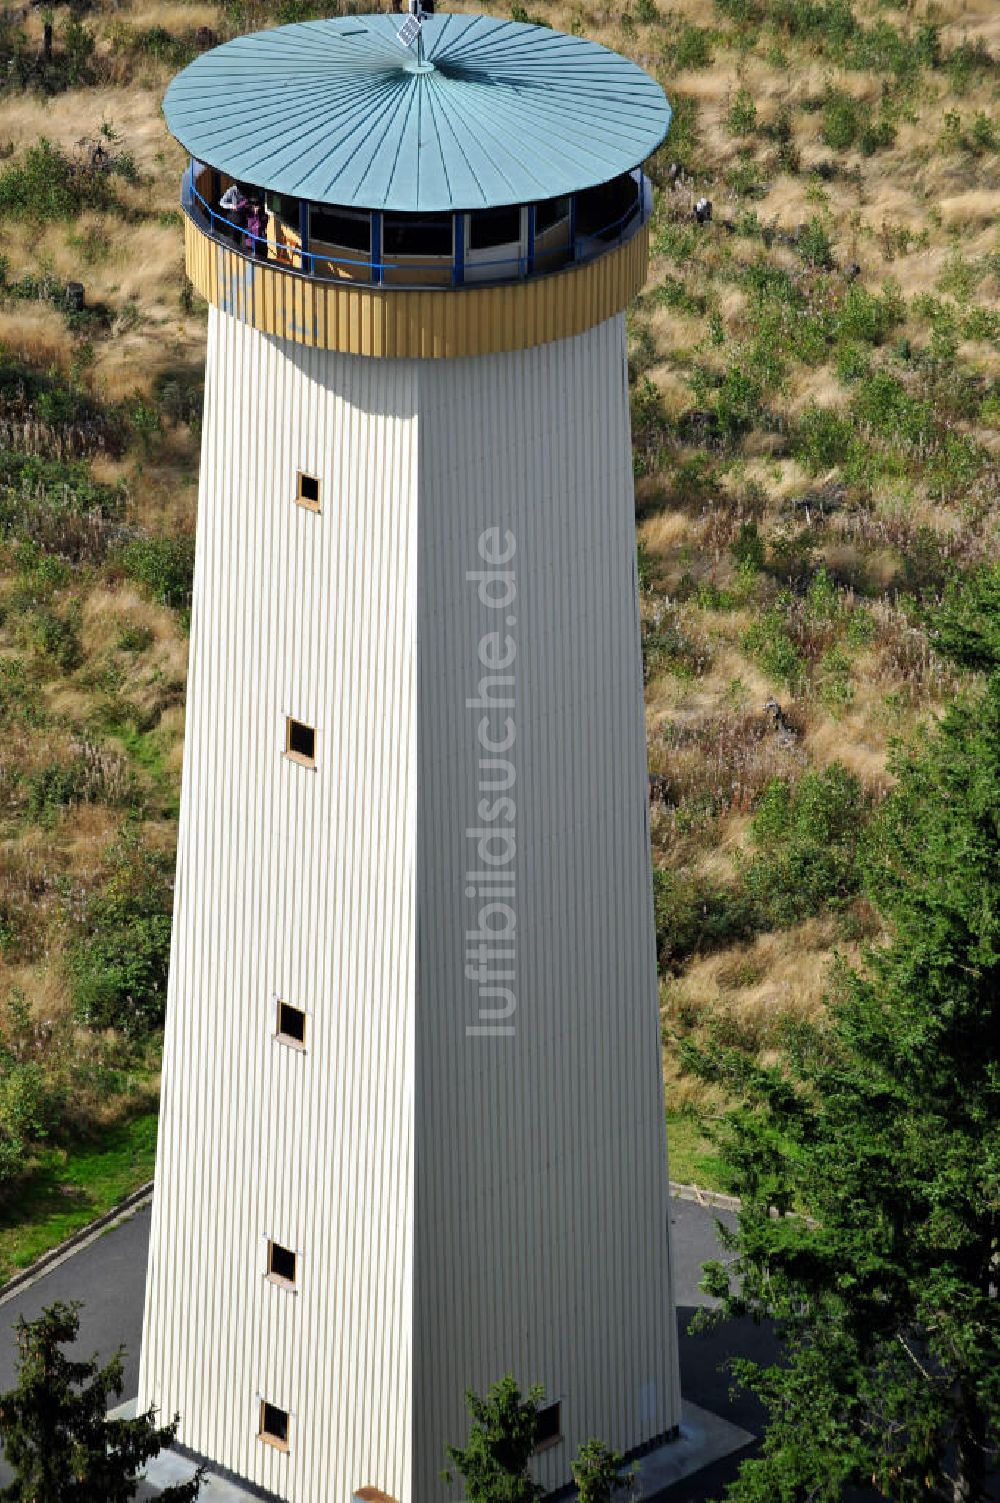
x,y
805,836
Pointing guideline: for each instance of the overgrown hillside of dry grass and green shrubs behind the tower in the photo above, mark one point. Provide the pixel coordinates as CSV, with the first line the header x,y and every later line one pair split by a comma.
x,y
816,447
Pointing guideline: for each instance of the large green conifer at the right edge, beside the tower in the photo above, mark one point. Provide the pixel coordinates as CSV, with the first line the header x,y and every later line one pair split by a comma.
x,y
868,1163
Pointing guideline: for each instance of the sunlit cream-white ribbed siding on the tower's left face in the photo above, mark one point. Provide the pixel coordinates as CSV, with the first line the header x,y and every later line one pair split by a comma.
x,y
283,889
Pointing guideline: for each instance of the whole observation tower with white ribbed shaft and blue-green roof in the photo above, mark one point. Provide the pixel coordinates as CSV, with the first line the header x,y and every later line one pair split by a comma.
x,y
413,1128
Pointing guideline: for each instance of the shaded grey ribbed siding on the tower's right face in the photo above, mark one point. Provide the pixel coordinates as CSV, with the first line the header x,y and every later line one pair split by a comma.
x,y
541,1187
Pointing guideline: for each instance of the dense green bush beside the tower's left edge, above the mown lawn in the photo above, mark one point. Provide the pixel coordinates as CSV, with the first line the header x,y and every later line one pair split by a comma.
x,y
118,967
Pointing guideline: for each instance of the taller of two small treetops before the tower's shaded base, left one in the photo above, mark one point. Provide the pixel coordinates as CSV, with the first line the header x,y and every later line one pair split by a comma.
x,y
503,1433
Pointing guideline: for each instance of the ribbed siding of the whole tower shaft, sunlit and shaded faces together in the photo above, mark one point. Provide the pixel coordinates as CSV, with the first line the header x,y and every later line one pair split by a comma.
x,y
542,1223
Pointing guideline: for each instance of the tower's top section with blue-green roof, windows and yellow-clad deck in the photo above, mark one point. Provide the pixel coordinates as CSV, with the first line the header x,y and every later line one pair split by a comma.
x,y
485,196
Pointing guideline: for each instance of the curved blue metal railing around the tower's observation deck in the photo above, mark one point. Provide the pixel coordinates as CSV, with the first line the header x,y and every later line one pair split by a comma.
x,y
581,247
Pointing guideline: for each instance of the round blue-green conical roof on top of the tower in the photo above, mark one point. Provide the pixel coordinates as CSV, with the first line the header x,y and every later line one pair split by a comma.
x,y
341,112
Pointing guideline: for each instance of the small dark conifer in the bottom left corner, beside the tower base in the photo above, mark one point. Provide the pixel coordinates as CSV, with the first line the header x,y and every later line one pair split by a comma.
x,y
56,1432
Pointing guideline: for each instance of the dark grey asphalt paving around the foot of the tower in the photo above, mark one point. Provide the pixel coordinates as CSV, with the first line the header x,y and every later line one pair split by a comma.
x,y
109,1278
